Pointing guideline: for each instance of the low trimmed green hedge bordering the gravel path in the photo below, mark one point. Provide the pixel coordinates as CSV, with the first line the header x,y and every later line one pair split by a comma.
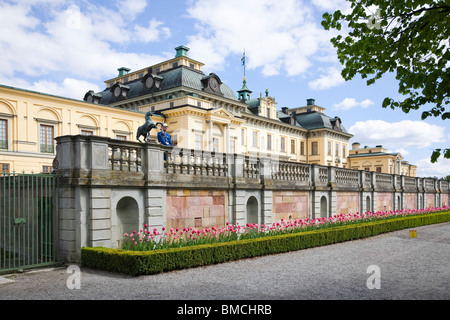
x,y
157,261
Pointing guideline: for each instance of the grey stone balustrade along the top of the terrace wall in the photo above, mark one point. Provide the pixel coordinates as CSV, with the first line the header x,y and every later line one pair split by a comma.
x,y
98,157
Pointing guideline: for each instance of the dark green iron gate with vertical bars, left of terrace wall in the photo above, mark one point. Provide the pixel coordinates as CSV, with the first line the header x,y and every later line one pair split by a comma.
x,y
28,220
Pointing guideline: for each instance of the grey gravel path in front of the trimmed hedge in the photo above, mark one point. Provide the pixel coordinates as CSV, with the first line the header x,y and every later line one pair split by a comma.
x,y
409,269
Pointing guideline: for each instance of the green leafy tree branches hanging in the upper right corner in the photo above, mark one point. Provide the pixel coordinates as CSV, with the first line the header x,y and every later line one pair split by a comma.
x,y
407,37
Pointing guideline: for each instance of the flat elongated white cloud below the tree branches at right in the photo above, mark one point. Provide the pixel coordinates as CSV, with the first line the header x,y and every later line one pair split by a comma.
x,y
402,134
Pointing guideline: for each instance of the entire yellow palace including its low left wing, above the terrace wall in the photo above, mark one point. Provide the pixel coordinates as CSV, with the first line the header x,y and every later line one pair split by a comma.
x,y
201,111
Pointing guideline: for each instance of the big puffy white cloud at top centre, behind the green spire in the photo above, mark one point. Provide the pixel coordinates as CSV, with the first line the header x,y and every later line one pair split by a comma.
x,y
279,37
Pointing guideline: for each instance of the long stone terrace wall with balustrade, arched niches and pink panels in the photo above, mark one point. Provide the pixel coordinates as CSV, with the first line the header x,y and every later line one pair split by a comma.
x,y
109,187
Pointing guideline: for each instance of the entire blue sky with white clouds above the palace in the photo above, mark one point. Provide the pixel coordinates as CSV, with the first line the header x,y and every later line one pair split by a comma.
x,y
67,47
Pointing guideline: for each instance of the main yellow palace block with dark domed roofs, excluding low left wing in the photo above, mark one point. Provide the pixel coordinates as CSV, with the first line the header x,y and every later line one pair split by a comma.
x,y
204,113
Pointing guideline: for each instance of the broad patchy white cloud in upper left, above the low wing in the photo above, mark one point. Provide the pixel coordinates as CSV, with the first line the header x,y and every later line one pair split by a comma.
x,y
73,39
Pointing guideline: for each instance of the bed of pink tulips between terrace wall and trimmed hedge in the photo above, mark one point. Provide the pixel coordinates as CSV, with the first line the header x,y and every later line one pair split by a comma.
x,y
145,239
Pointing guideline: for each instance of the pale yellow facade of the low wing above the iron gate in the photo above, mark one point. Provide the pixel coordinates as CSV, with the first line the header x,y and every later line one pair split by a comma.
x,y
32,120
